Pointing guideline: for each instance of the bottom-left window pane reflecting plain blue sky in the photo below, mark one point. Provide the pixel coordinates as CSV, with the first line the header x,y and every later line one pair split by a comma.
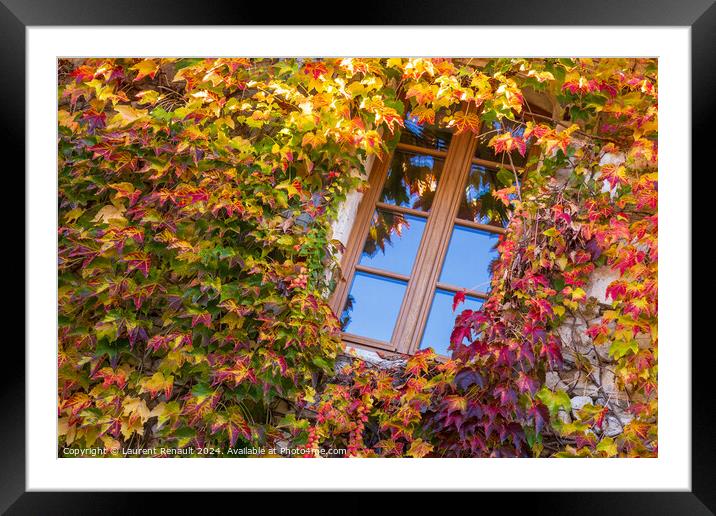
x,y
372,306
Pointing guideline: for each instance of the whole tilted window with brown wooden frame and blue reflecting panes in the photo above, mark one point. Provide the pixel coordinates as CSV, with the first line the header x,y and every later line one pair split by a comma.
x,y
426,228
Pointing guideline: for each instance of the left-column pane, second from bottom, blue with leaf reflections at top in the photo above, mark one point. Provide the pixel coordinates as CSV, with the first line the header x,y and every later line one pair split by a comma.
x,y
392,242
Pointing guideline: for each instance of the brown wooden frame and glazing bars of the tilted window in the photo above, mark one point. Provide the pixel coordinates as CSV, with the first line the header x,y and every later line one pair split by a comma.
x,y
430,257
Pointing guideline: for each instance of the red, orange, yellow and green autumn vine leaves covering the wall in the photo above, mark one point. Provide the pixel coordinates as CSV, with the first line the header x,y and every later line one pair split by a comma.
x,y
195,255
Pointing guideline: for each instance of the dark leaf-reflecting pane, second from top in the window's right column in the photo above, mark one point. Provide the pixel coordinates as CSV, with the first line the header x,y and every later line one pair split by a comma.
x,y
478,204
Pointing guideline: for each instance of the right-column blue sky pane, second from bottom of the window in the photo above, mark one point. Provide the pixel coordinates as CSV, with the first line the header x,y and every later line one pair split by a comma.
x,y
467,264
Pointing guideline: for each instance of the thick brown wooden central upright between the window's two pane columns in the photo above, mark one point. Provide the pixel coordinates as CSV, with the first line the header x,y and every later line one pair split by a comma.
x,y
433,247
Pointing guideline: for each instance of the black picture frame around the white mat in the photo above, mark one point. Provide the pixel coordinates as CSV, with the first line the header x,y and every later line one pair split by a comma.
x,y
700,15
